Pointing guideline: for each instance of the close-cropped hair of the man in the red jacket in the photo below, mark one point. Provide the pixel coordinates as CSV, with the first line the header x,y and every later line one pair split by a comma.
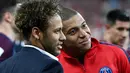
x,y
66,13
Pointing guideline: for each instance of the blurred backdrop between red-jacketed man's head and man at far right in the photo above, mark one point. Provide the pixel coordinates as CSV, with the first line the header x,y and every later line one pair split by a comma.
x,y
94,12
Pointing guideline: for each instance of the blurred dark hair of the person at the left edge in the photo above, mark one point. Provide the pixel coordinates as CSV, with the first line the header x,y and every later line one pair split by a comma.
x,y
6,5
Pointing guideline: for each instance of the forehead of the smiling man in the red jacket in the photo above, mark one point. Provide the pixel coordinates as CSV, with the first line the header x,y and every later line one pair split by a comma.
x,y
74,21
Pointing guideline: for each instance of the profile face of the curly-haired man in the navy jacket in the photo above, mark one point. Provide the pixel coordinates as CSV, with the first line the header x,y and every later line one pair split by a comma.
x,y
54,37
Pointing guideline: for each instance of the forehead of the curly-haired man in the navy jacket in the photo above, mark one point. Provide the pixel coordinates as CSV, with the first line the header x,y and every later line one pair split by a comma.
x,y
55,21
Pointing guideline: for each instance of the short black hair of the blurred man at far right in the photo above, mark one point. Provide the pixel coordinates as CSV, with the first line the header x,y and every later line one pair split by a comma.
x,y
117,14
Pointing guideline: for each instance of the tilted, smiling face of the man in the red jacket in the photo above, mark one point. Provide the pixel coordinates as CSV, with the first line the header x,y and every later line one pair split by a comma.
x,y
77,32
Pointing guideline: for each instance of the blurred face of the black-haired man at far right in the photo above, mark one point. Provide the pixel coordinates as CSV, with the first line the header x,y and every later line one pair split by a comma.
x,y
119,32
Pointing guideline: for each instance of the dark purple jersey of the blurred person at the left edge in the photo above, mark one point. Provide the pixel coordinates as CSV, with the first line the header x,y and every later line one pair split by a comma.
x,y
6,47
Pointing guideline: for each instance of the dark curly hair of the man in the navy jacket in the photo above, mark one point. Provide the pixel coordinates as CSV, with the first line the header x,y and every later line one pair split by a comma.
x,y
35,14
